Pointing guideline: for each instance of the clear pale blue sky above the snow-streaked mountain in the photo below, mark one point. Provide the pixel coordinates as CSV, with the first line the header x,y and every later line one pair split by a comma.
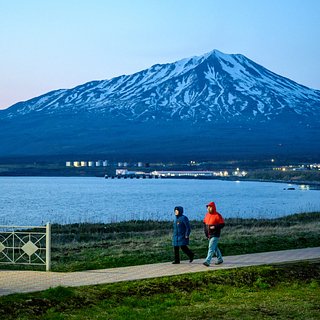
x,y
59,44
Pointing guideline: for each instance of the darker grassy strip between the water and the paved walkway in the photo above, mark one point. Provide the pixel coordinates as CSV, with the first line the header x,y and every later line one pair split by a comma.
x,y
83,246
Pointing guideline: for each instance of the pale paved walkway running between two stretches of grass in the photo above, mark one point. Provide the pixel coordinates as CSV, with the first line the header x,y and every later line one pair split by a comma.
x,y
30,281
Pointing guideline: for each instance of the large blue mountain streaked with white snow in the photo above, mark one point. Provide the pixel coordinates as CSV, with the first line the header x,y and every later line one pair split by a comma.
x,y
202,106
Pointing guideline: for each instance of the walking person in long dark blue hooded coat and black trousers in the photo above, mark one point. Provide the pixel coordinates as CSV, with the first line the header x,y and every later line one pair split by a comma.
x,y
181,233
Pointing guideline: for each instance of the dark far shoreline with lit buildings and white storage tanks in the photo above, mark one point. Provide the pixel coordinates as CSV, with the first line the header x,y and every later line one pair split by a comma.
x,y
258,170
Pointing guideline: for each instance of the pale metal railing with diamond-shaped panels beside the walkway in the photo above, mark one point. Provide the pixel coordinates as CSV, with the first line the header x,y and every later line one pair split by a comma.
x,y
26,245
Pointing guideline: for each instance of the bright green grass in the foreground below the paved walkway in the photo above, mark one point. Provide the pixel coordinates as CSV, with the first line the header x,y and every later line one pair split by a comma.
x,y
289,291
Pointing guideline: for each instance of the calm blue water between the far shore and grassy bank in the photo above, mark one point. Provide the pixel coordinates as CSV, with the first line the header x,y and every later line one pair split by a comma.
x,y
37,200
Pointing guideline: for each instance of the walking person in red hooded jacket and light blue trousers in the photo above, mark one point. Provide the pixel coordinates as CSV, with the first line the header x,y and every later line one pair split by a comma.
x,y
213,223
